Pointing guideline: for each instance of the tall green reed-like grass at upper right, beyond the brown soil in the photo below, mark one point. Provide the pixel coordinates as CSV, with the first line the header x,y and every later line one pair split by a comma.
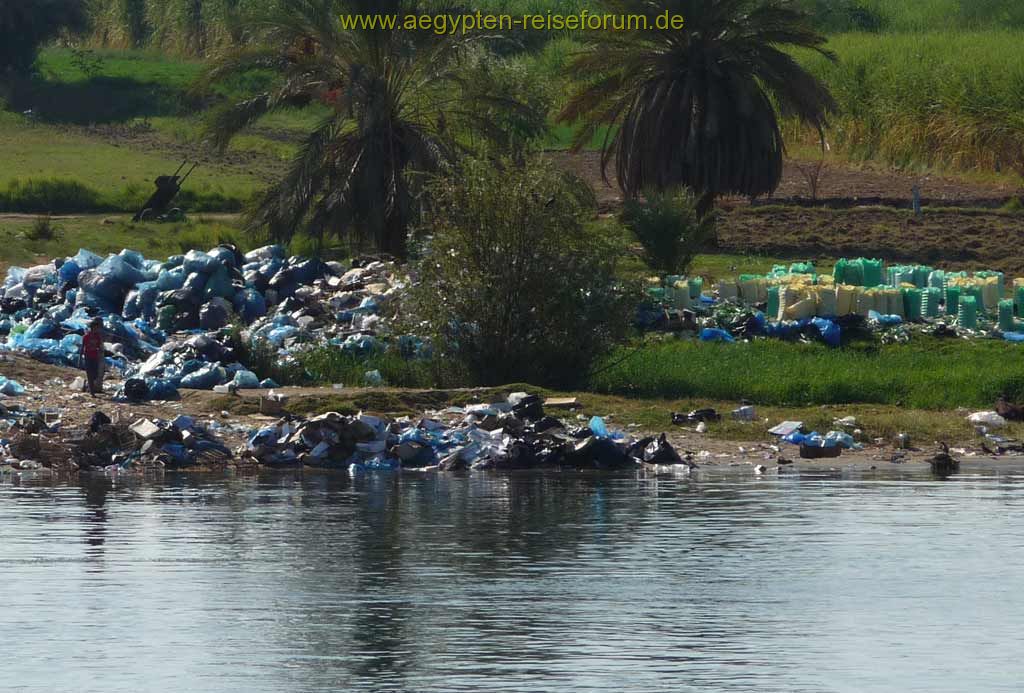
x,y
952,100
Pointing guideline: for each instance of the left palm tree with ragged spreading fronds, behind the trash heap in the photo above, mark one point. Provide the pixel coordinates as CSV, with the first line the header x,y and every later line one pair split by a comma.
x,y
397,106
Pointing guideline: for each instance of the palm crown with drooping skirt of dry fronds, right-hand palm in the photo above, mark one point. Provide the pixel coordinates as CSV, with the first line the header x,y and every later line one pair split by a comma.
x,y
699,107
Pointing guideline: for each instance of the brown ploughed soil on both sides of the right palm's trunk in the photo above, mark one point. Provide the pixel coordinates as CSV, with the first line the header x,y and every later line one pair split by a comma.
x,y
862,211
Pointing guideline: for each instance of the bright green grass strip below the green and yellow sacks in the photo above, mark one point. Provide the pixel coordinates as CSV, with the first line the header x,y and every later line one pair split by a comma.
x,y
926,375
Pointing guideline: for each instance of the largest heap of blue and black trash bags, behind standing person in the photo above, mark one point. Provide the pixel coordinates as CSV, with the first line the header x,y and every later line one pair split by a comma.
x,y
166,323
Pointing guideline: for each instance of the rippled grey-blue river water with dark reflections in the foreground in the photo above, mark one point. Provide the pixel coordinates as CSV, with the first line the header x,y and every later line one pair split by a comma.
x,y
857,582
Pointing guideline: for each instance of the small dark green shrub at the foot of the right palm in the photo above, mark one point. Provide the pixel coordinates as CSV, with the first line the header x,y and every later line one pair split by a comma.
x,y
668,228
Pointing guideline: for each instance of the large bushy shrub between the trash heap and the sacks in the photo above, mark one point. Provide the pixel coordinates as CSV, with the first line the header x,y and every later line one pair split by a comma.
x,y
513,286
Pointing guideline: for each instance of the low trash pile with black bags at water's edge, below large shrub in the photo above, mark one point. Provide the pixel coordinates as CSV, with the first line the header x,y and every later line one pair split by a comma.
x,y
508,436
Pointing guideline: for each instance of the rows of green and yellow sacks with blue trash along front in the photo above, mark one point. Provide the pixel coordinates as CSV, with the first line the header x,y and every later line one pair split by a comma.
x,y
797,302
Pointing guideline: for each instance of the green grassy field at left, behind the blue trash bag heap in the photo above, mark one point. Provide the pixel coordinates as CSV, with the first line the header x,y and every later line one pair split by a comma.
x,y
94,138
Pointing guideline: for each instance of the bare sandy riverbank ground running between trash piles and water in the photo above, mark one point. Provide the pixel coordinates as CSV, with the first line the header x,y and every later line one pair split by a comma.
x,y
728,447
